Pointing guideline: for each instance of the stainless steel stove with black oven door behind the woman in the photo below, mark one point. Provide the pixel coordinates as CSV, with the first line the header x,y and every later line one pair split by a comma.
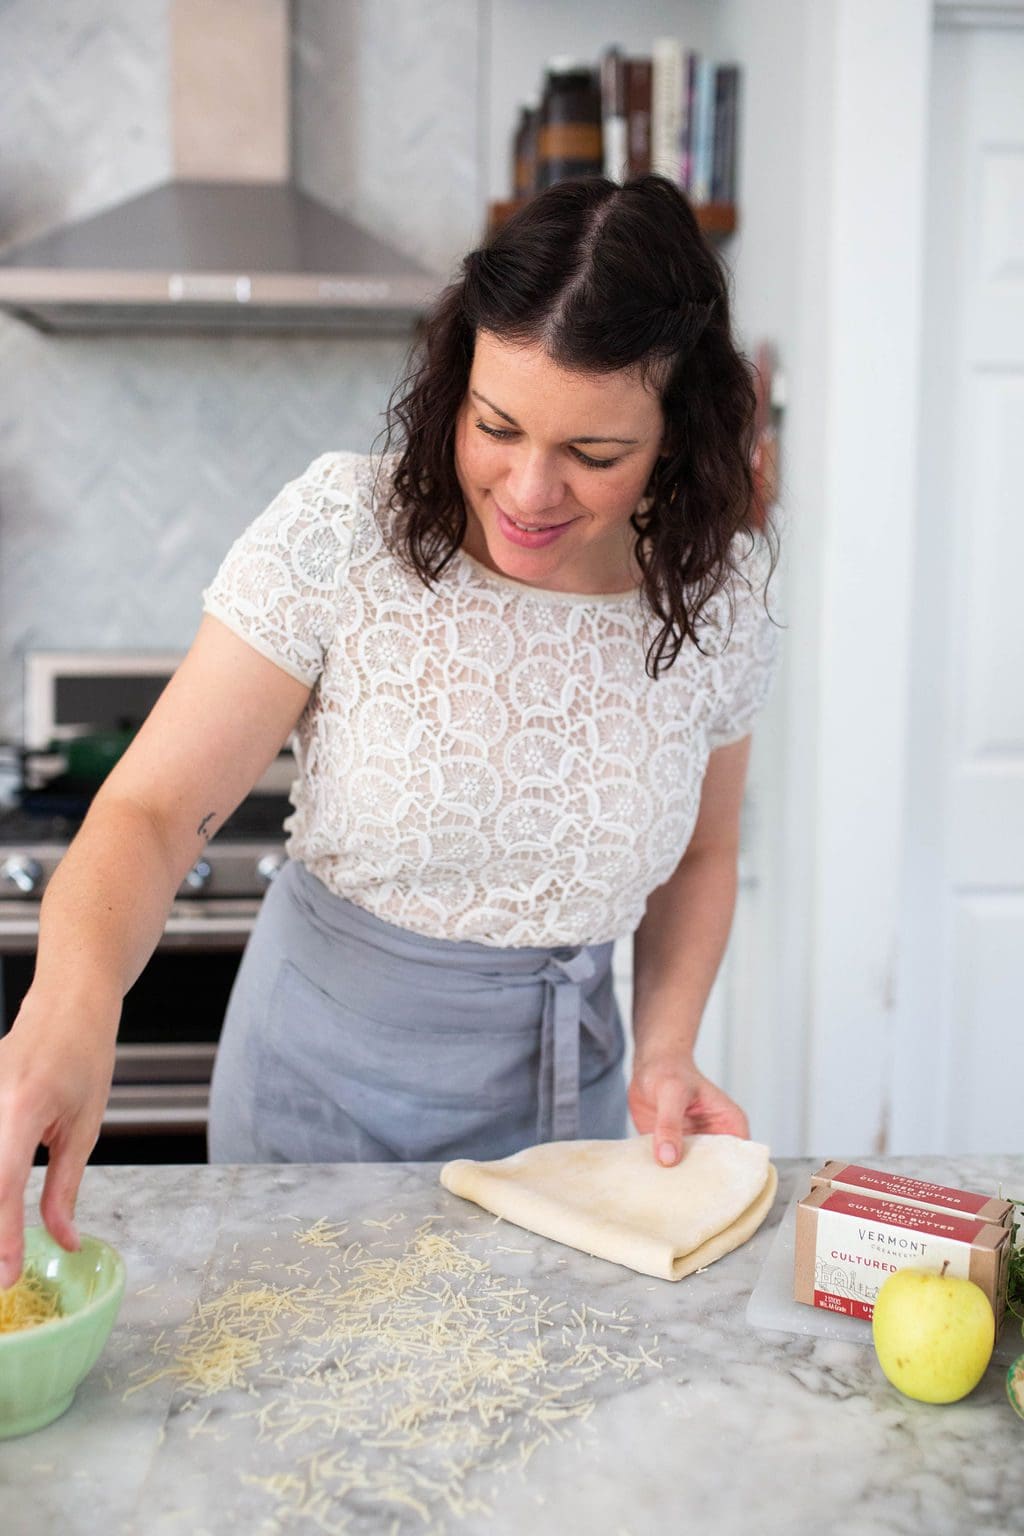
x,y
171,1019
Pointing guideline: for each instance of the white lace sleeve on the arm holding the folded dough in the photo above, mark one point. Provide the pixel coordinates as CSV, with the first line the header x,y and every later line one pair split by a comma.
x,y
747,663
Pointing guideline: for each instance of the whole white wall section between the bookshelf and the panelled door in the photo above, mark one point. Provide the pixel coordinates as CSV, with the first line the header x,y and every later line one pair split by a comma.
x,y
831,263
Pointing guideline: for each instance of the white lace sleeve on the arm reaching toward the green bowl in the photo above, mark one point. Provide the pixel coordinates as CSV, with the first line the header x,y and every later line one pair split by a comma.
x,y
277,588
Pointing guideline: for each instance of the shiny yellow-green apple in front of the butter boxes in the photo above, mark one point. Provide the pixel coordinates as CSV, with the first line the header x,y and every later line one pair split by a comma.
x,y
934,1334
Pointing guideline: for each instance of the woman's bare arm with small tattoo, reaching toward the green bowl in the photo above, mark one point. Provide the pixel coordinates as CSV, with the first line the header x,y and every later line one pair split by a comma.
x,y
220,723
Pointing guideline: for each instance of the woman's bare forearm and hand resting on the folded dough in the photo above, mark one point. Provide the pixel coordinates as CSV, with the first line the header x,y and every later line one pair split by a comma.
x,y
678,950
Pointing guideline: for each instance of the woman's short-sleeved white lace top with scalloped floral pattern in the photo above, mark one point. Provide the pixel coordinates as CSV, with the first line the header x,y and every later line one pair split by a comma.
x,y
486,761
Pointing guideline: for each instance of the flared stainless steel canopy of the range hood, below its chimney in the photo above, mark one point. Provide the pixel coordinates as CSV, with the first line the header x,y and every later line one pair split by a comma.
x,y
214,256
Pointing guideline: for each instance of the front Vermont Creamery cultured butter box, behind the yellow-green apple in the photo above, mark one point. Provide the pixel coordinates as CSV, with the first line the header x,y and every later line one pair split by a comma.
x,y
850,1243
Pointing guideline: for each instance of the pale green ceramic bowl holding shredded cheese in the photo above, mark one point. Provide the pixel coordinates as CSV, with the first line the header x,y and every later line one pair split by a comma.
x,y
42,1368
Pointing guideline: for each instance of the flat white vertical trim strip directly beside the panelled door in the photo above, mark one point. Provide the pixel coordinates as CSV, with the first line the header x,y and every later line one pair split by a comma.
x,y
876,265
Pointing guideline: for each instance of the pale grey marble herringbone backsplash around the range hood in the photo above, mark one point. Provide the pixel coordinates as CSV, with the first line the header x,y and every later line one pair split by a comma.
x,y
128,465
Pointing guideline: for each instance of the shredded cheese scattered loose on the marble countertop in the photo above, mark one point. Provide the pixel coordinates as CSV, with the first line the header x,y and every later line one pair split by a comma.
x,y
380,1385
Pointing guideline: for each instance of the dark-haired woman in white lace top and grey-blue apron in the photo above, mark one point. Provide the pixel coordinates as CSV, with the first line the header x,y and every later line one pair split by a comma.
x,y
521,657
